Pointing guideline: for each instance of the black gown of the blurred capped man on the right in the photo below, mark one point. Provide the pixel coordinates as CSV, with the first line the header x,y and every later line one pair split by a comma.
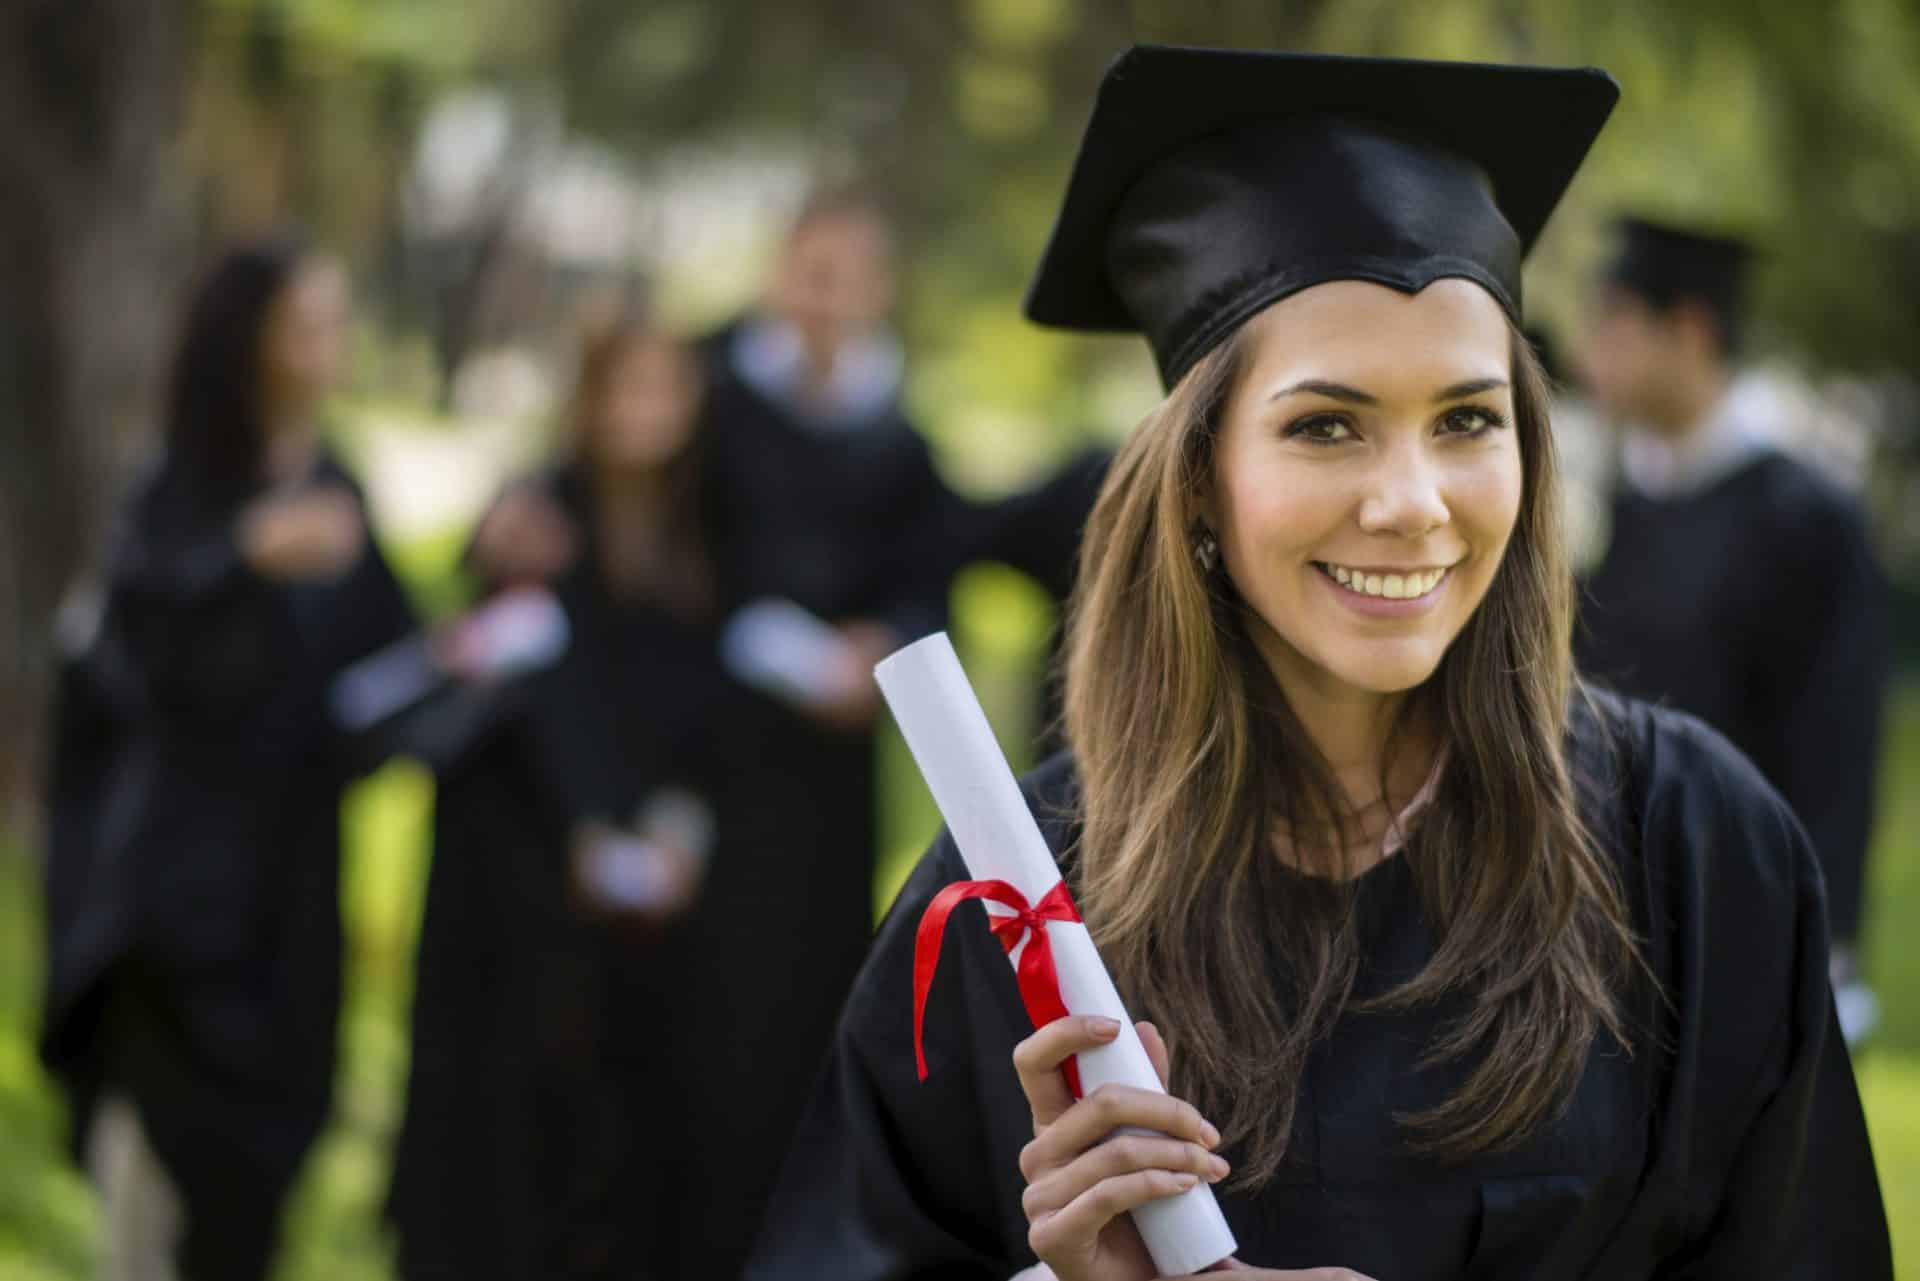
x,y
1758,606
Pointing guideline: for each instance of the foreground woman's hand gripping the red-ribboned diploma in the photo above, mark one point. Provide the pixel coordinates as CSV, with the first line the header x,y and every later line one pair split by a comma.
x,y
1084,1180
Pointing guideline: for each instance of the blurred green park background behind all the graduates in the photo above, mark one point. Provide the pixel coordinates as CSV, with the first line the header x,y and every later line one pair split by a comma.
x,y
487,164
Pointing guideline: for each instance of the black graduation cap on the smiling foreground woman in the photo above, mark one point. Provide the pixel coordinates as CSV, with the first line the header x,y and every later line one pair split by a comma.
x,y
1212,183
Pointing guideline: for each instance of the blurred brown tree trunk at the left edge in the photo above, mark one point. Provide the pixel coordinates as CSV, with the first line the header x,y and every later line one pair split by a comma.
x,y
93,239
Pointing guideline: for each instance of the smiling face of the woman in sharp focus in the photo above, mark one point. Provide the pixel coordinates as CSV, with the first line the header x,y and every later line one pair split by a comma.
x,y
1366,479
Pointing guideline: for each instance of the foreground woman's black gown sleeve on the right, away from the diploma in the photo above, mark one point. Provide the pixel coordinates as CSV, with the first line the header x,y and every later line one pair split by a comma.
x,y
1764,1126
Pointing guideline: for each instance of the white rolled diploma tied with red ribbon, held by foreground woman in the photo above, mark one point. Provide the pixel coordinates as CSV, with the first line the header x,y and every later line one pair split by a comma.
x,y
990,821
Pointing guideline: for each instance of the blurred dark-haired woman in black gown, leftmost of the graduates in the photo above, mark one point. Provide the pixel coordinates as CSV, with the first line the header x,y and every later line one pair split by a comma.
x,y
195,858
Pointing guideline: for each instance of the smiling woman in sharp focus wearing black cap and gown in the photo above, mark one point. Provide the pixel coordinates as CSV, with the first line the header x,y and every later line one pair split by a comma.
x,y
1462,971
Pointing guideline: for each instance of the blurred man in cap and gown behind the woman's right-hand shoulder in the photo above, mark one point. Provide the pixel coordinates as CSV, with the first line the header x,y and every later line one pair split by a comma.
x,y
1739,581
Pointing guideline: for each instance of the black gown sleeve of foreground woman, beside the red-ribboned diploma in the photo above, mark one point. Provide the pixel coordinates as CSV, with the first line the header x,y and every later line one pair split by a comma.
x,y
892,1178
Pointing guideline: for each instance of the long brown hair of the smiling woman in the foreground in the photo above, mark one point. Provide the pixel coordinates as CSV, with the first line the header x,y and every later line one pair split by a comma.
x,y
1189,758
